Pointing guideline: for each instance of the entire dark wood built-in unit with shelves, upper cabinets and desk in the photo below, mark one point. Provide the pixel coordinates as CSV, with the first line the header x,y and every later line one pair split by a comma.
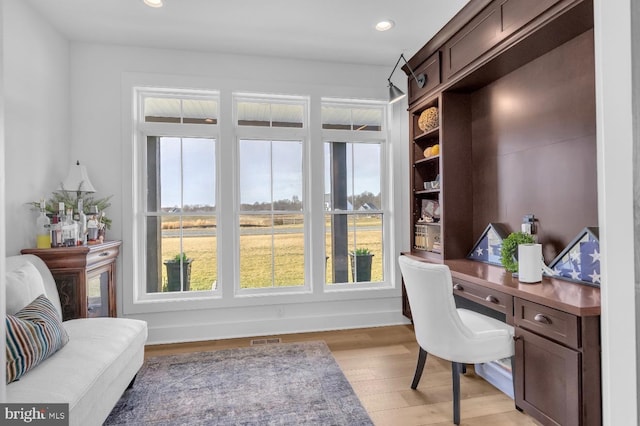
x,y
514,85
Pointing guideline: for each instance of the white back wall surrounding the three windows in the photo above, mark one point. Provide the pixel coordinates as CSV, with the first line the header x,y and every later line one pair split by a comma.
x,y
101,127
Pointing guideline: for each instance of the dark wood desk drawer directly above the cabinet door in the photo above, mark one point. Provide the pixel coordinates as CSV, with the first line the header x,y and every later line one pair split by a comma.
x,y
560,326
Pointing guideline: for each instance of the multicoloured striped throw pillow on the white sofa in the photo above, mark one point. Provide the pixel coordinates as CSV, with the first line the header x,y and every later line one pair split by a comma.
x,y
33,334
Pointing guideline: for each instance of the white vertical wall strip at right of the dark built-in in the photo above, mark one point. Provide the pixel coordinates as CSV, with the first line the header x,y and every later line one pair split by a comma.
x,y
615,209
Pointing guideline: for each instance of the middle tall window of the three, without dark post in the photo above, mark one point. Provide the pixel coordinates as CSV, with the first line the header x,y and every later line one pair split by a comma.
x,y
271,181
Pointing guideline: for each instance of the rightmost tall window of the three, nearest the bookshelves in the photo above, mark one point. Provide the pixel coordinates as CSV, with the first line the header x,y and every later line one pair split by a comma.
x,y
354,202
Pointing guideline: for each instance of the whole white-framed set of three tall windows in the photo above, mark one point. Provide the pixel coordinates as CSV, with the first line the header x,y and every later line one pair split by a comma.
x,y
256,188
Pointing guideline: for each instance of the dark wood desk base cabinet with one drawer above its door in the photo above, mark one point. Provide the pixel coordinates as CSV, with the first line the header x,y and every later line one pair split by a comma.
x,y
557,364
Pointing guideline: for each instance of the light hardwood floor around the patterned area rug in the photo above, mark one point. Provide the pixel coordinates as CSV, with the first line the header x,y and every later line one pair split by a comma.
x,y
379,363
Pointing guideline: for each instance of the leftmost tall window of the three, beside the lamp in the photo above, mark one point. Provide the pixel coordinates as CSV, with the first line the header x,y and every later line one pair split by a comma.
x,y
180,197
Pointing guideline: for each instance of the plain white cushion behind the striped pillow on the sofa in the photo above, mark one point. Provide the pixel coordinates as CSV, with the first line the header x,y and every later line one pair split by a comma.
x,y
23,285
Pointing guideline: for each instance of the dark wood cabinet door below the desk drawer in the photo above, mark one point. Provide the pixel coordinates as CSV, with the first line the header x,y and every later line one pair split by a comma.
x,y
547,380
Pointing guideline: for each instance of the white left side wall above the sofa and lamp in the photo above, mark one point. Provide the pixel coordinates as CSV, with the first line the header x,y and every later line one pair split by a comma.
x,y
36,94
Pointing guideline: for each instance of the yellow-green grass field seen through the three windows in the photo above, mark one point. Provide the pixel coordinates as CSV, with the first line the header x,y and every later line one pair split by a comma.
x,y
258,268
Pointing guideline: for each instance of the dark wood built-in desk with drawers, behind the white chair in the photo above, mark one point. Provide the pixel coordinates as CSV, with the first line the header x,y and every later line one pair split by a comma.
x,y
557,338
